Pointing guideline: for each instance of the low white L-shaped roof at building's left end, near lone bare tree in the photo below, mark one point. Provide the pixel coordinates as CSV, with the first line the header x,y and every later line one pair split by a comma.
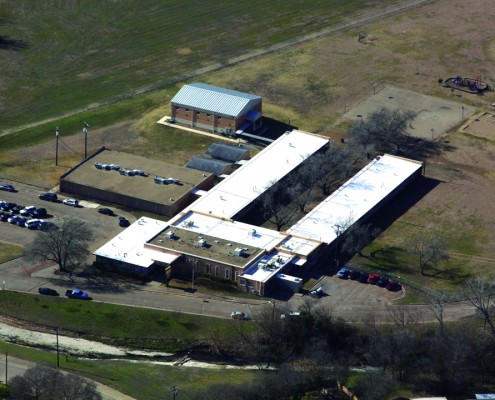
x,y
128,246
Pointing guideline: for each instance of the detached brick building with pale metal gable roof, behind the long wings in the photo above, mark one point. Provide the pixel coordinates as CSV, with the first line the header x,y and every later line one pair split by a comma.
x,y
216,109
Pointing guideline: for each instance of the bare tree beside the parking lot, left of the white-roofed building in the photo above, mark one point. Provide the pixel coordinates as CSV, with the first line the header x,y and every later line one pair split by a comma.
x,y
66,244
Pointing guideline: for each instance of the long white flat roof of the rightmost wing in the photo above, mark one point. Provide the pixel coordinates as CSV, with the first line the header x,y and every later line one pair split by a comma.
x,y
355,198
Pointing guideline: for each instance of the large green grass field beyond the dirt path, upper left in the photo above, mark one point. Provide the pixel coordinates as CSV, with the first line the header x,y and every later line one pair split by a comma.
x,y
53,68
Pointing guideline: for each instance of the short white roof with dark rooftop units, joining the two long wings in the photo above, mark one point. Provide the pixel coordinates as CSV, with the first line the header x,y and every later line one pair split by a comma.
x,y
249,235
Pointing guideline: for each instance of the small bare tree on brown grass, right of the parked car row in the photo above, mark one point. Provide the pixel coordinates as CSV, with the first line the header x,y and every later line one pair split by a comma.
x,y
429,248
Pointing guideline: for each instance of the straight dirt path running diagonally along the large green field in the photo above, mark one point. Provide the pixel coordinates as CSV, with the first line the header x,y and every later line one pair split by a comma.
x,y
350,23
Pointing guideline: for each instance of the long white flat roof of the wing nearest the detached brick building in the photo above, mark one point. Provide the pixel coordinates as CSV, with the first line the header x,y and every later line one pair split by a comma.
x,y
247,183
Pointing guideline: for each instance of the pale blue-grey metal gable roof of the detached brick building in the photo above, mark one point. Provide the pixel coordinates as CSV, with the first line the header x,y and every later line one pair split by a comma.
x,y
204,97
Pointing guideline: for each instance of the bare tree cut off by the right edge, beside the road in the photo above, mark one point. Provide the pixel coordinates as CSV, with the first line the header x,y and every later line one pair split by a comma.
x,y
480,292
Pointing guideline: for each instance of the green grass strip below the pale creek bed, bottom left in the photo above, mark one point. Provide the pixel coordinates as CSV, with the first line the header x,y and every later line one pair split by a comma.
x,y
141,380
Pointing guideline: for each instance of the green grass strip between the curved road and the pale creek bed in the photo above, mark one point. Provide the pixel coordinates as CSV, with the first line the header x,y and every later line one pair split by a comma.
x,y
118,325
